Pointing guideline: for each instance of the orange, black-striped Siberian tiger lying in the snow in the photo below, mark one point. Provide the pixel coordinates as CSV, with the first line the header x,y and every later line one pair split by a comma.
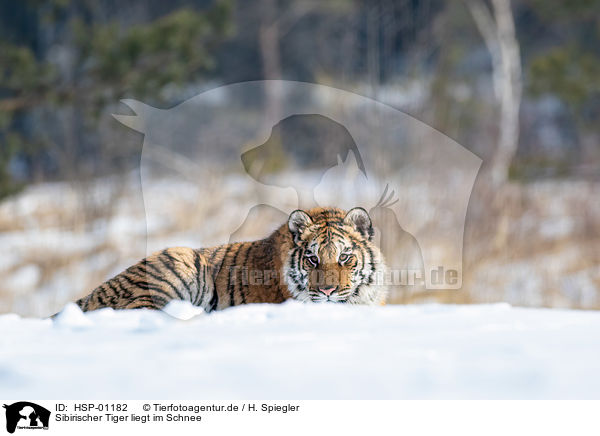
x,y
319,255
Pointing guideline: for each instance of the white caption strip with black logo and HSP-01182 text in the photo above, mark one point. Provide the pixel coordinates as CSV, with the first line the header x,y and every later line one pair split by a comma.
x,y
45,418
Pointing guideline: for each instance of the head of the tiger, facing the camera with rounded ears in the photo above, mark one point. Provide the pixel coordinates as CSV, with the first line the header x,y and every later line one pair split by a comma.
x,y
333,258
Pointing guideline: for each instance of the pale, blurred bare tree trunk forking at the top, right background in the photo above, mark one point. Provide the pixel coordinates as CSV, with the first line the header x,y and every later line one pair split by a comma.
x,y
497,27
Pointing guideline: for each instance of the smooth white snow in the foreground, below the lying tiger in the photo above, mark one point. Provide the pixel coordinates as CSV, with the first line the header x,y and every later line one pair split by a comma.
x,y
304,351
